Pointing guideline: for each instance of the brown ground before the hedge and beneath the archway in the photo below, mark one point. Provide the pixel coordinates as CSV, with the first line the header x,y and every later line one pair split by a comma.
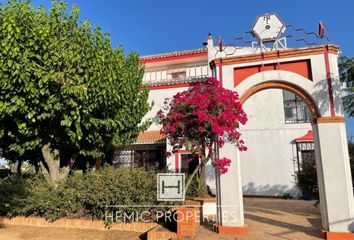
x,y
266,219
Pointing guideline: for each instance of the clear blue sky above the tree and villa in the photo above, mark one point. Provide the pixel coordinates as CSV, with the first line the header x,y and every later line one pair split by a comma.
x,y
165,25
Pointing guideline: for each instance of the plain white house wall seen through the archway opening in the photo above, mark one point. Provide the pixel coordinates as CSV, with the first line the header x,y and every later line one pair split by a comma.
x,y
268,164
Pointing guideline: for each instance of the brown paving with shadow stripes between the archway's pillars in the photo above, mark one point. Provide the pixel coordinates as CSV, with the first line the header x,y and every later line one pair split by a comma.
x,y
275,219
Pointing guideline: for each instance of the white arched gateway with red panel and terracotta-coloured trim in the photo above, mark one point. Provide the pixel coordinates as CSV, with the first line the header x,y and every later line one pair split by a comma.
x,y
312,74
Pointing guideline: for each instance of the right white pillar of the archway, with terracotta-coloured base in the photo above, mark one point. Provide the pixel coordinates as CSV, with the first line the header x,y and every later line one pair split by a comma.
x,y
334,175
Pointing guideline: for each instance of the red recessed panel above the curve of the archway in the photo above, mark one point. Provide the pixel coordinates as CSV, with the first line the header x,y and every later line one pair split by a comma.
x,y
302,67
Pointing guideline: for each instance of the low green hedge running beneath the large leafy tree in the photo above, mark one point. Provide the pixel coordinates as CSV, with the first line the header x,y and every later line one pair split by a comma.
x,y
81,195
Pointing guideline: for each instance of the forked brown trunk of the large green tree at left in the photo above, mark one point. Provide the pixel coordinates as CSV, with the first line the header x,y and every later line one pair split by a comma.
x,y
52,168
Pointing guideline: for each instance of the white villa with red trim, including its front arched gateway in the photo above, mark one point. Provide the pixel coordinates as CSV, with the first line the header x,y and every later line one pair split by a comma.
x,y
292,97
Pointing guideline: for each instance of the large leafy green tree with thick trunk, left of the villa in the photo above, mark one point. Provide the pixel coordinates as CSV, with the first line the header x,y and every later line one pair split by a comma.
x,y
64,90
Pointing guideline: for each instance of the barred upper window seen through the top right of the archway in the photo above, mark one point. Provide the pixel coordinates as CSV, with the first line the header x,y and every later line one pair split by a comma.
x,y
295,110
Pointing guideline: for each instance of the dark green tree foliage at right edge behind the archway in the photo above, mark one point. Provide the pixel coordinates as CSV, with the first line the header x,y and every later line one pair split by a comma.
x,y
346,71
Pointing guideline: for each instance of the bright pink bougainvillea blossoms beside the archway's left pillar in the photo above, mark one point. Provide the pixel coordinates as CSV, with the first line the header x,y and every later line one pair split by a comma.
x,y
202,116
